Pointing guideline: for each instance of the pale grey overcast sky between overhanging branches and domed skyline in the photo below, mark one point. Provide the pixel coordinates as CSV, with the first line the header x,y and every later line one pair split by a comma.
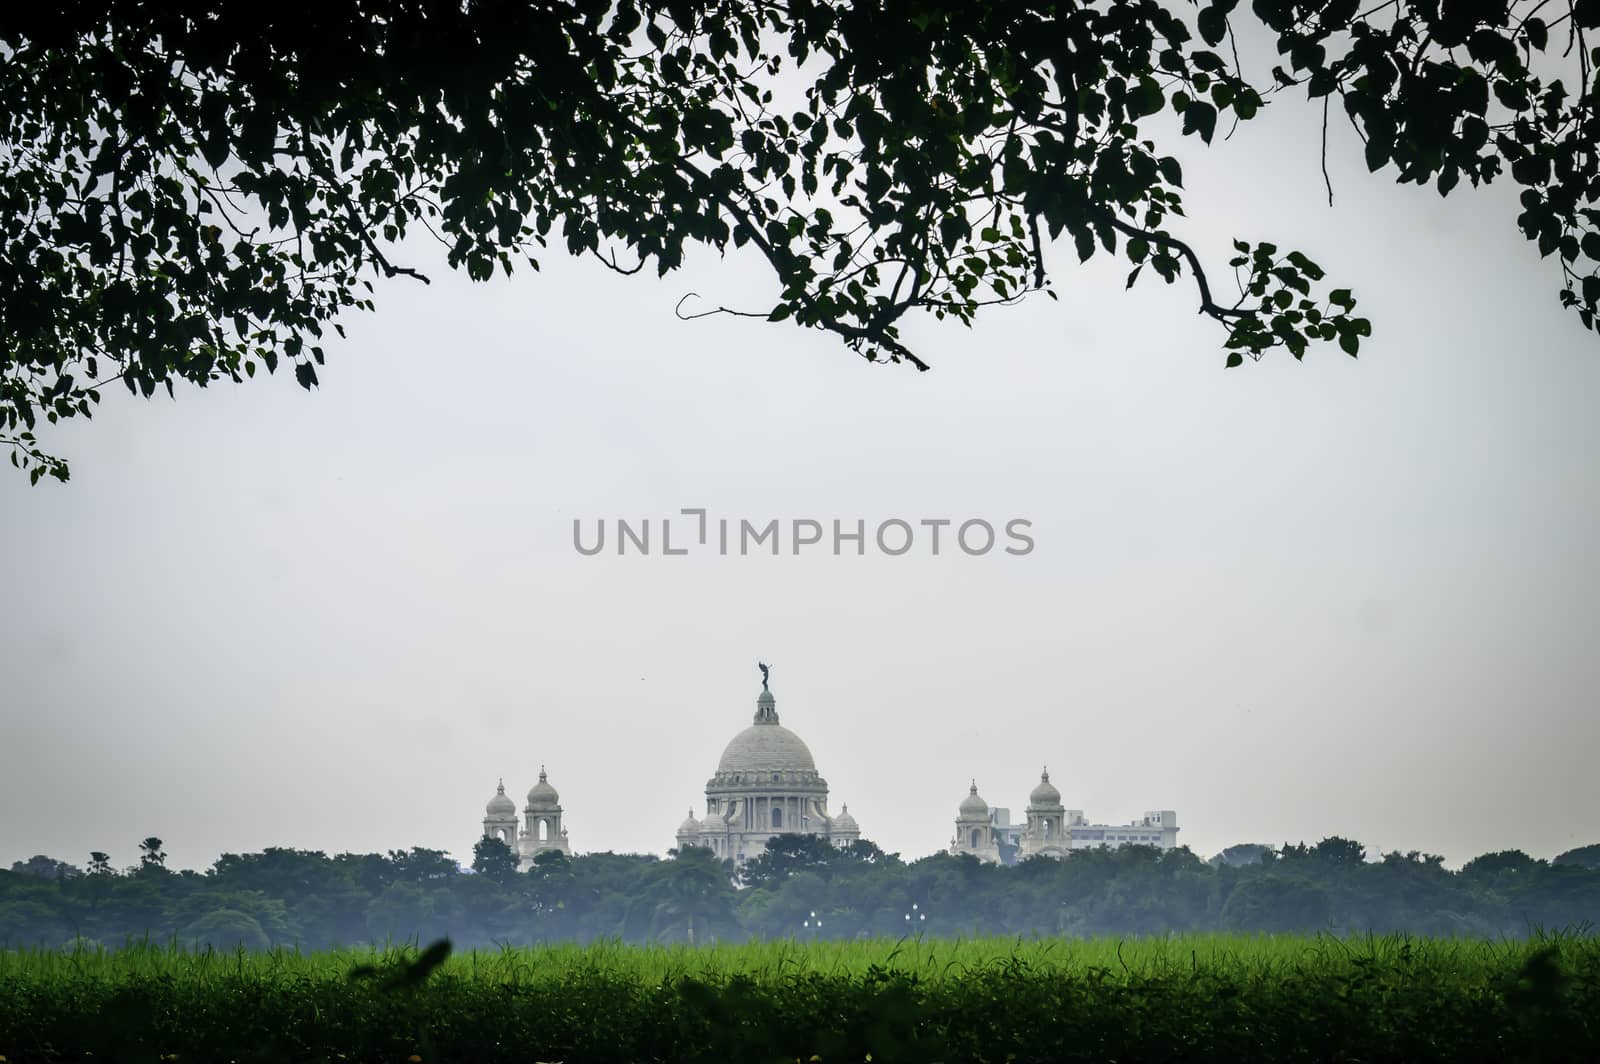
x,y
1286,601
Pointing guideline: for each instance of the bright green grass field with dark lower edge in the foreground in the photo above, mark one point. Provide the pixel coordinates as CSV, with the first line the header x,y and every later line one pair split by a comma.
x,y
1182,999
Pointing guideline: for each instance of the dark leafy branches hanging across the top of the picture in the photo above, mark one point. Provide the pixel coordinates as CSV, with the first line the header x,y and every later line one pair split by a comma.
x,y
193,194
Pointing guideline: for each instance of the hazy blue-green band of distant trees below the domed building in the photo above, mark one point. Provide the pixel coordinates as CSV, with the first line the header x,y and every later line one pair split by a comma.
x,y
799,889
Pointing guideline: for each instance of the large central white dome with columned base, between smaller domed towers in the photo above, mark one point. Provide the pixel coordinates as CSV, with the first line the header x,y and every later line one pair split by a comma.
x,y
766,785
